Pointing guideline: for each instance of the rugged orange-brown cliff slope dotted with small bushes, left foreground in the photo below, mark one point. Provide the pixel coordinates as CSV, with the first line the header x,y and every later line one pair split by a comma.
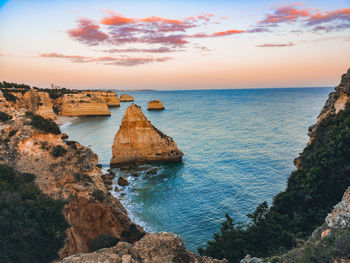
x,y
67,172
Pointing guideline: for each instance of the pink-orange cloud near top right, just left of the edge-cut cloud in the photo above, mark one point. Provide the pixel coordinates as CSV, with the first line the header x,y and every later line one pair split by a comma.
x,y
285,14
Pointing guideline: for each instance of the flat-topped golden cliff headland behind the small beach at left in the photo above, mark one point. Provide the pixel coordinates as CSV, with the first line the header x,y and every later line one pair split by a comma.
x,y
81,104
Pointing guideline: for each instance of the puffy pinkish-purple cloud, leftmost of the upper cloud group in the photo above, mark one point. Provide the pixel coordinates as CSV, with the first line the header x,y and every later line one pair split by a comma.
x,y
88,32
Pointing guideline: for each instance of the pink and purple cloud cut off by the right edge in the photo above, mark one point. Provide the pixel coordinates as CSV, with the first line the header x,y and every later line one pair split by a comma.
x,y
329,16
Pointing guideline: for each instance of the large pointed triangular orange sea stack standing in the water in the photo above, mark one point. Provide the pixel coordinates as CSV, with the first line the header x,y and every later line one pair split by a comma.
x,y
138,141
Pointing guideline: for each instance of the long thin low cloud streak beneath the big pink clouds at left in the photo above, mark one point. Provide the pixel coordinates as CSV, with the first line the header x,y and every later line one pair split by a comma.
x,y
119,61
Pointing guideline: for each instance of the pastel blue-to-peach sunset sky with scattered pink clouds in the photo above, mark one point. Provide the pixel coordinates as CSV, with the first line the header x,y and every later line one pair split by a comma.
x,y
163,44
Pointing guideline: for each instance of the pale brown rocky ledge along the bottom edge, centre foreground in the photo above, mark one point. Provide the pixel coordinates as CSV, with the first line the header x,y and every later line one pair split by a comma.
x,y
152,248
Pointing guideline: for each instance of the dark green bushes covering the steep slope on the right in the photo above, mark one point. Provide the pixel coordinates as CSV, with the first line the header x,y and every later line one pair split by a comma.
x,y
311,192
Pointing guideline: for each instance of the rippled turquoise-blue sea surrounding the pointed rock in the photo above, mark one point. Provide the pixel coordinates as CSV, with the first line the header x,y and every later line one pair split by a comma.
x,y
239,148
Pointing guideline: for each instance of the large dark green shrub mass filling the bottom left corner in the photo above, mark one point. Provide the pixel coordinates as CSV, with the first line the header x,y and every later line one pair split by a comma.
x,y
32,226
